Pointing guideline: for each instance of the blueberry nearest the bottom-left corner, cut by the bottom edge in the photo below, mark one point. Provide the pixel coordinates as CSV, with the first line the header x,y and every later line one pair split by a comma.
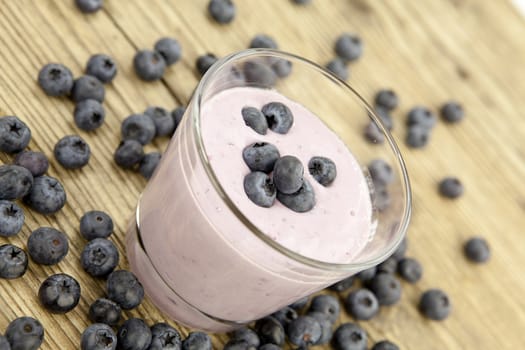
x,y
25,333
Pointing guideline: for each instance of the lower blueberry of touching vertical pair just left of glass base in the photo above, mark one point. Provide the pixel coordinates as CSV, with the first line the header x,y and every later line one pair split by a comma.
x,y
99,257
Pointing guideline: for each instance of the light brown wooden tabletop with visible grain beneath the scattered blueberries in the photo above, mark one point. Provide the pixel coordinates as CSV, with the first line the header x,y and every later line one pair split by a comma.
x,y
428,51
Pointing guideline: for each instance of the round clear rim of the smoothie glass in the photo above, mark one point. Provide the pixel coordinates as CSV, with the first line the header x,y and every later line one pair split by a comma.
x,y
195,110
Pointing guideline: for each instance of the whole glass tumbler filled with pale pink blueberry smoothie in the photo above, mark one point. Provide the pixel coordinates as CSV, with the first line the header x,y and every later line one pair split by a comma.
x,y
213,257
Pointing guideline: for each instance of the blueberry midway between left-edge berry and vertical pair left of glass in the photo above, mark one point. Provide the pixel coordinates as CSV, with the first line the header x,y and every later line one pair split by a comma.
x,y
47,246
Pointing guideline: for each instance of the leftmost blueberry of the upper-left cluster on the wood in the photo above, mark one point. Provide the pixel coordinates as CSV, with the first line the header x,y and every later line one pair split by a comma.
x,y
55,79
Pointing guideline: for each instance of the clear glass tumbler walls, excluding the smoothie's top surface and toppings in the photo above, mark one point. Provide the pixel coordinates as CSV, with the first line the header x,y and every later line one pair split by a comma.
x,y
193,265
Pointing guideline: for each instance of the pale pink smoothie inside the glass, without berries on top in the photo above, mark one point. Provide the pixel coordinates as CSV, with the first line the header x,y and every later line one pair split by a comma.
x,y
199,262
